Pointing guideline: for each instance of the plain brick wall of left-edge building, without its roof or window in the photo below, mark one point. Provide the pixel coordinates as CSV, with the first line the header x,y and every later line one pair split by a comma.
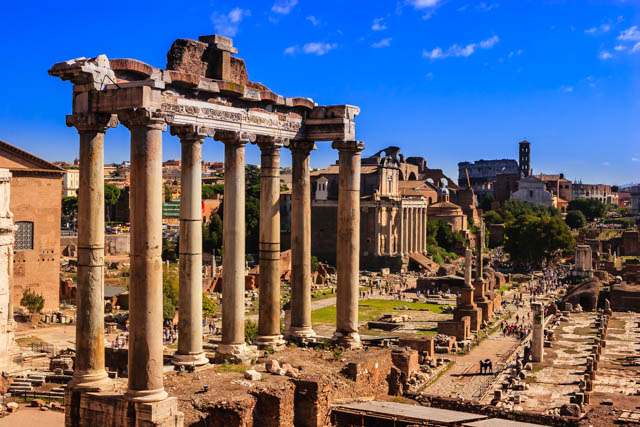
x,y
37,199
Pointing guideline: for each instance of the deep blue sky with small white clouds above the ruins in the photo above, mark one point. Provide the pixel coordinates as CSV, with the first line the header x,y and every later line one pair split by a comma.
x,y
446,80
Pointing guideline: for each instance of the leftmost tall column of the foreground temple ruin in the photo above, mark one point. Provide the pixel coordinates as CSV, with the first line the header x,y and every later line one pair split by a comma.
x,y
89,370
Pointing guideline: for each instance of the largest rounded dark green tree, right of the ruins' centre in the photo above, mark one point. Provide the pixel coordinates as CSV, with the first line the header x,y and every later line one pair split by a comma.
x,y
532,240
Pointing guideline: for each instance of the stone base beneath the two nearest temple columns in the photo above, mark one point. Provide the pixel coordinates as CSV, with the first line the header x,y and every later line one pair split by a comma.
x,y
93,409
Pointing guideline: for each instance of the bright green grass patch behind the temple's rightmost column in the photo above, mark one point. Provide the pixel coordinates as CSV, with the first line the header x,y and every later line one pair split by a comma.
x,y
372,309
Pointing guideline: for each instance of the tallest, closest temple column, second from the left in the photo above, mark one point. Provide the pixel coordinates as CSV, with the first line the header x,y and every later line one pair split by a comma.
x,y
145,383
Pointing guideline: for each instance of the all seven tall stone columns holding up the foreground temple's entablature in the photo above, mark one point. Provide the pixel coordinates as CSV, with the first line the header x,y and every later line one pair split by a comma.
x,y
145,381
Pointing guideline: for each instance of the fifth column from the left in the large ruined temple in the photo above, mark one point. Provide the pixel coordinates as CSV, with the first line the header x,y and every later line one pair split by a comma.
x,y
269,309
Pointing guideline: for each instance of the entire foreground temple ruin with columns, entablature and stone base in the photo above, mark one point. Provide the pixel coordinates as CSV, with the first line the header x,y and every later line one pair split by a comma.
x,y
203,92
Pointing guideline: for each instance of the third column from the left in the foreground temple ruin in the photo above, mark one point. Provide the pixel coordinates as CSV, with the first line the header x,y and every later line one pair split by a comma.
x,y
190,351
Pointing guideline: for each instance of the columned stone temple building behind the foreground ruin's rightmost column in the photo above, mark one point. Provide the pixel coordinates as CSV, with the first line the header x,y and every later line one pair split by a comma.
x,y
393,218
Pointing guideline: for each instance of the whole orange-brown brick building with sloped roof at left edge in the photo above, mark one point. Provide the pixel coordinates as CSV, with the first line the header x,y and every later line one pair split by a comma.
x,y
36,186
